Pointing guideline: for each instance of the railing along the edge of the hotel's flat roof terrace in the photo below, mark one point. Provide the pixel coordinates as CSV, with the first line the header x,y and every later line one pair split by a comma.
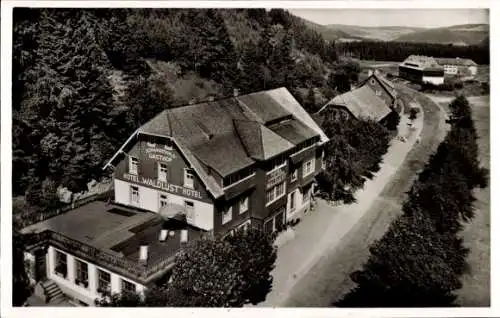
x,y
113,261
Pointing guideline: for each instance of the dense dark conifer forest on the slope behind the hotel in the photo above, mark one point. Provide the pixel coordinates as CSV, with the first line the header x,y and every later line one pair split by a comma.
x,y
84,80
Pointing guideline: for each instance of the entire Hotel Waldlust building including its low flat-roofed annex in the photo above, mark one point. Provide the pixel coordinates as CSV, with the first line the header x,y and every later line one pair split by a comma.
x,y
200,170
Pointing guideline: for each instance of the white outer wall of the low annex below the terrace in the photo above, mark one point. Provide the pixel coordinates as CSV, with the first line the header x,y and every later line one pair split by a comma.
x,y
89,294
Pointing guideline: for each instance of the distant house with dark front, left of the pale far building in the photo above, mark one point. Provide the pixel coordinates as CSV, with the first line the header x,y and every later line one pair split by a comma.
x,y
422,69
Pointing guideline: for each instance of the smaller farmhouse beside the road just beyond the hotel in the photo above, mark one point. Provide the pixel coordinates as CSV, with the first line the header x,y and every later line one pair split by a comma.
x,y
374,98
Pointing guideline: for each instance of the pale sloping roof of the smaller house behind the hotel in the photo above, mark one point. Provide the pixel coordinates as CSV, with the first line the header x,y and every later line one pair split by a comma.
x,y
362,102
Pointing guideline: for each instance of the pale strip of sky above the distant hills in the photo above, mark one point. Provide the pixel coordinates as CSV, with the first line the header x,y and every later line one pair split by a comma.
x,y
427,18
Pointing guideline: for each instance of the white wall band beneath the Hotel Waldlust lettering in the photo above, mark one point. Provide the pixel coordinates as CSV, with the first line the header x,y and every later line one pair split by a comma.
x,y
149,199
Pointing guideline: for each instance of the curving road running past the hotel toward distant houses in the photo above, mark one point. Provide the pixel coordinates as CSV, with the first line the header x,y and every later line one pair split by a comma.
x,y
328,280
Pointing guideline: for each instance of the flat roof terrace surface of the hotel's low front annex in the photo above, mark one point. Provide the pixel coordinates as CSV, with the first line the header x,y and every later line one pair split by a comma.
x,y
117,230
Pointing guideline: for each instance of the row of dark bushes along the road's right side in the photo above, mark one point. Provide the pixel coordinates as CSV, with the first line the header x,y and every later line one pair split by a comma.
x,y
420,259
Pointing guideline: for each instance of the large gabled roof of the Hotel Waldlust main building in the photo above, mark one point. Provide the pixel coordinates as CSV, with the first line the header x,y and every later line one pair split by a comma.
x,y
230,134
